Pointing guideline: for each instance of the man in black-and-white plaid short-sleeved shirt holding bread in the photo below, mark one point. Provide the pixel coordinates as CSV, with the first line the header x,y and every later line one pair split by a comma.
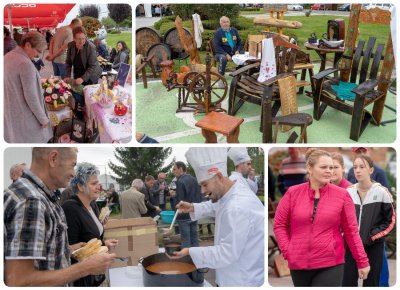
x,y
36,249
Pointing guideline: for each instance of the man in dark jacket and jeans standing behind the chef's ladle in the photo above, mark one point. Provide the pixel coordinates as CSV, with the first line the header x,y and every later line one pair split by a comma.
x,y
187,189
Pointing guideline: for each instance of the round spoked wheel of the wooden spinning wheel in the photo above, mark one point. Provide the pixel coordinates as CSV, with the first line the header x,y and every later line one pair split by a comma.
x,y
197,88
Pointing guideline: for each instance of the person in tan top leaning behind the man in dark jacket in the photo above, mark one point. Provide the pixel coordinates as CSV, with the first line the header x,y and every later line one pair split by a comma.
x,y
58,47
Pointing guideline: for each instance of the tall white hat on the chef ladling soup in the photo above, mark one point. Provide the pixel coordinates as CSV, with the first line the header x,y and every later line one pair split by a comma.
x,y
207,162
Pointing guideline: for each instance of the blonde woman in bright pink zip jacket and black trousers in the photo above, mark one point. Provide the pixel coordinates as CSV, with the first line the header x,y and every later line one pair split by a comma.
x,y
308,226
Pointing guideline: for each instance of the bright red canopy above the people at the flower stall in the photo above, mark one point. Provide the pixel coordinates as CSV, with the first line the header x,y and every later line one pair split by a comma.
x,y
36,15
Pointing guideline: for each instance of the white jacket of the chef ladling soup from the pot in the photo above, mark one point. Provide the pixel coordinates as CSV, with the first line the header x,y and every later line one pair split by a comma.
x,y
238,251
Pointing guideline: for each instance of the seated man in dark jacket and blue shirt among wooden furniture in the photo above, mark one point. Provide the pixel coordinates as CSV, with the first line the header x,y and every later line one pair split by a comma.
x,y
226,43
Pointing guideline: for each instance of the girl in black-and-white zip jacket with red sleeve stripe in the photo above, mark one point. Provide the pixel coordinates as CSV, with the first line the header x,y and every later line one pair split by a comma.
x,y
376,218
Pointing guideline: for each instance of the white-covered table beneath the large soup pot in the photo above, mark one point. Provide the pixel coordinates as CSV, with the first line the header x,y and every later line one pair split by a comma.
x,y
130,276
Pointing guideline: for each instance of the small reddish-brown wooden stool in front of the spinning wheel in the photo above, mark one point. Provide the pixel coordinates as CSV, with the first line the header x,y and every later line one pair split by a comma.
x,y
224,124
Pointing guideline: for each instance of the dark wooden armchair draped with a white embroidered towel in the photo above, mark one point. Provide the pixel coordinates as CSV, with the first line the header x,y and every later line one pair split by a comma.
x,y
245,87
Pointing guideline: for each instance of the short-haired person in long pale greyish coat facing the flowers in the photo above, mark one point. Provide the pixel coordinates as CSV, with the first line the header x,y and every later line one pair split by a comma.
x,y
25,117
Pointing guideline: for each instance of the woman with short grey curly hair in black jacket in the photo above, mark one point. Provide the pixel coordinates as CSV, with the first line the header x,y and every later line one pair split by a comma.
x,y
82,215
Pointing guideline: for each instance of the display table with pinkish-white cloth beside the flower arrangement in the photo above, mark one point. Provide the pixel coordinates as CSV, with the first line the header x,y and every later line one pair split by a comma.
x,y
112,128
